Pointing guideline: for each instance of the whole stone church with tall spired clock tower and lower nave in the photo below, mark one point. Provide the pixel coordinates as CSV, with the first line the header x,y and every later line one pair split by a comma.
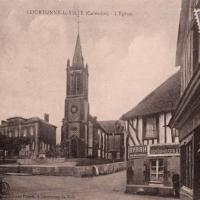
x,y
81,134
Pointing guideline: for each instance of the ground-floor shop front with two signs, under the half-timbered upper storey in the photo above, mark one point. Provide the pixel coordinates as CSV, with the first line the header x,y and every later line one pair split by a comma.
x,y
151,168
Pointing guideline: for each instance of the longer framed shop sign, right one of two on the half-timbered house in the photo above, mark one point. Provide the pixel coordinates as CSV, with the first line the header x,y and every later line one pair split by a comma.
x,y
165,149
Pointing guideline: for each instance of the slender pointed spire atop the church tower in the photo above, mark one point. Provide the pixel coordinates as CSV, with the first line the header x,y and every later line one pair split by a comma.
x,y
78,58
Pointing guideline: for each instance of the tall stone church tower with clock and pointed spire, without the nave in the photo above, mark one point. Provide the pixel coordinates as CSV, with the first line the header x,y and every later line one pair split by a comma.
x,y
74,131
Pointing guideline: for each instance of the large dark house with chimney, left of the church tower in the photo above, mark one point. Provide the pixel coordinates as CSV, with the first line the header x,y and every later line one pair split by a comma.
x,y
26,138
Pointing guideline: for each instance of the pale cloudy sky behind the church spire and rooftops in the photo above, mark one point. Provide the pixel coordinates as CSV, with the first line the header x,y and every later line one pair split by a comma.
x,y
129,46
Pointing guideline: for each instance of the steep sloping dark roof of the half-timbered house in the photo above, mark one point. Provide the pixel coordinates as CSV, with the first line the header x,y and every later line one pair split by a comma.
x,y
163,98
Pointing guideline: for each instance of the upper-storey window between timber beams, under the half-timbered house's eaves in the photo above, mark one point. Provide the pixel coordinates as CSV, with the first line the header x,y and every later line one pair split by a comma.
x,y
151,127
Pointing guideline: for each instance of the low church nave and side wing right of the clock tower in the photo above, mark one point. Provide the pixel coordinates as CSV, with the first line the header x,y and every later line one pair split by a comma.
x,y
105,139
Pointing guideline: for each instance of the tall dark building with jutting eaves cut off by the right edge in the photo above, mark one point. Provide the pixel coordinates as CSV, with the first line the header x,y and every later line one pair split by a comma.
x,y
186,117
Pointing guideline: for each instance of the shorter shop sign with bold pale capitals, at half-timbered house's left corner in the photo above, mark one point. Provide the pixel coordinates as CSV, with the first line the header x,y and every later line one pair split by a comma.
x,y
135,151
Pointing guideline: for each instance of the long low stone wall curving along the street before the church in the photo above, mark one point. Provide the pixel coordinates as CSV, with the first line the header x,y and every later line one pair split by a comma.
x,y
81,171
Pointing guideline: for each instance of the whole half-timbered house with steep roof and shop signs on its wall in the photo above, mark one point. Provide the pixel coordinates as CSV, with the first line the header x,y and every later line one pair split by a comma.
x,y
153,147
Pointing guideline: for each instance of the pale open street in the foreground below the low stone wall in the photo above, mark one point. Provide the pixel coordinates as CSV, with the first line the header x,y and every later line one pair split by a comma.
x,y
108,187
